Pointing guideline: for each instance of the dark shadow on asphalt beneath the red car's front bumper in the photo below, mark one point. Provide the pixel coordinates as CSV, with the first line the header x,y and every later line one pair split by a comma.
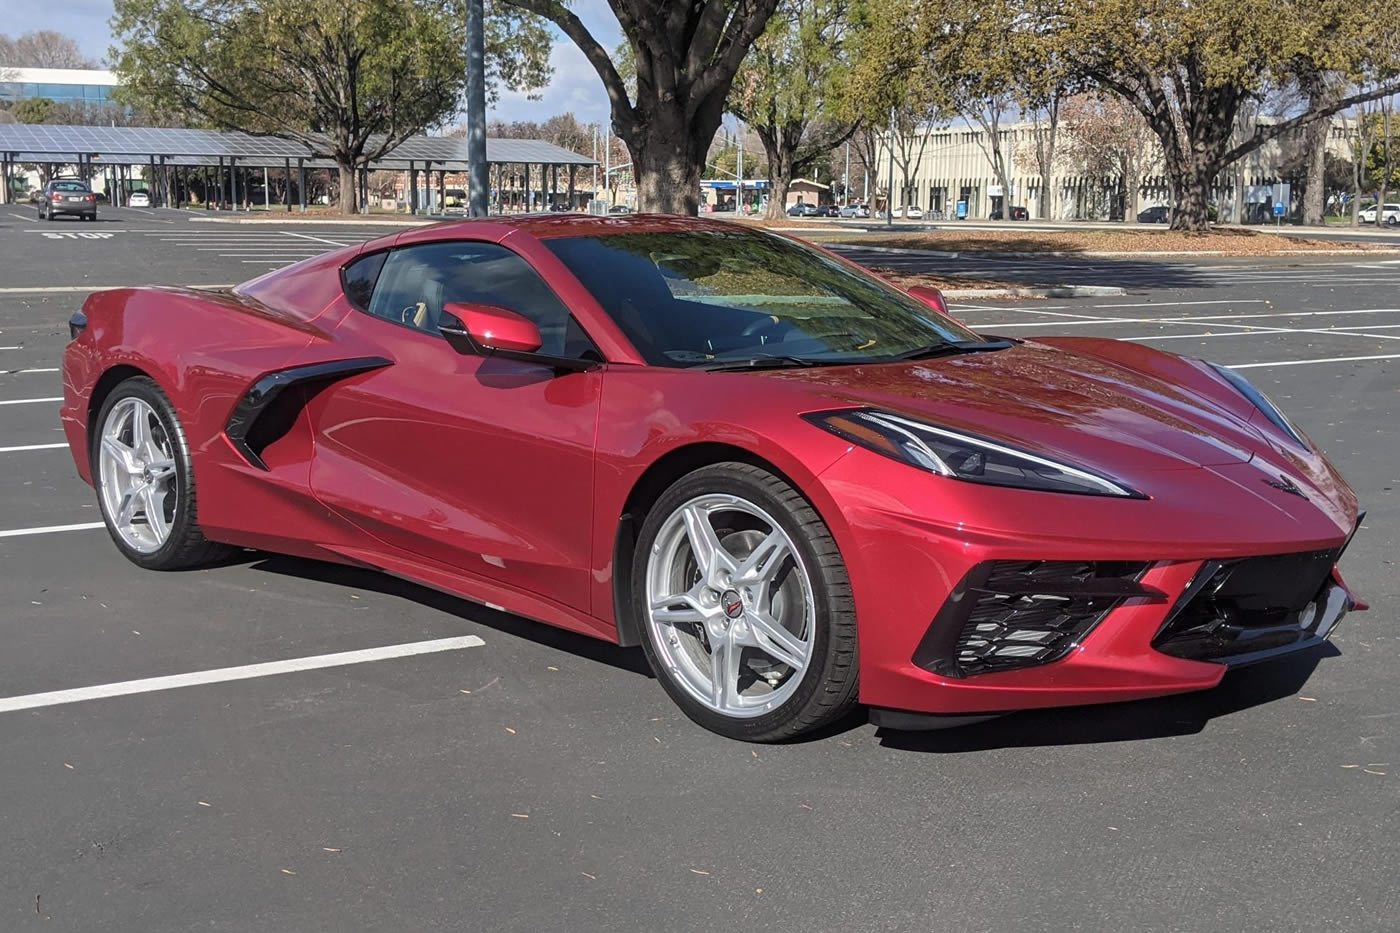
x,y
1181,715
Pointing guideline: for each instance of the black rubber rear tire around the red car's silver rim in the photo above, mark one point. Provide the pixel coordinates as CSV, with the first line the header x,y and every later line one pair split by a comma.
x,y
187,546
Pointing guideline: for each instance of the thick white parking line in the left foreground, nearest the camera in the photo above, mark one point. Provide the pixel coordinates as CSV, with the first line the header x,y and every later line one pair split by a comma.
x,y
243,673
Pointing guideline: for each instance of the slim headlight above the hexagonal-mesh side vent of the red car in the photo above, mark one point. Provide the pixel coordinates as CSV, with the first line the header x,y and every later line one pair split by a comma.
x,y
961,456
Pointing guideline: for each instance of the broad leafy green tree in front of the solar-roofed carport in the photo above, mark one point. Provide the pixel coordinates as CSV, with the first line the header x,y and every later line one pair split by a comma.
x,y
351,81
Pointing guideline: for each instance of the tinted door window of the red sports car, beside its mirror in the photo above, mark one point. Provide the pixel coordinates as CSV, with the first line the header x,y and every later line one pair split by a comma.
x,y
416,282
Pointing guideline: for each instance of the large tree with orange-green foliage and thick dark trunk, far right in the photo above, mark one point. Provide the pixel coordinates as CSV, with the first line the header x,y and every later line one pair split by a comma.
x,y
1189,67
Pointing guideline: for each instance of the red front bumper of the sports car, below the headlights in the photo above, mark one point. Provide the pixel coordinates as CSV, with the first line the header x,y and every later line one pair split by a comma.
x,y
908,568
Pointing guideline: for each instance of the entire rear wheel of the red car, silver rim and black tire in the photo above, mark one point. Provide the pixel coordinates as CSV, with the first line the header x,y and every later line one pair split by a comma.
x,y
145,481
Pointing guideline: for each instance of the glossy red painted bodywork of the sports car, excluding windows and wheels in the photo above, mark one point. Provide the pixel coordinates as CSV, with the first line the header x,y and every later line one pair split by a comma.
x,y
506,483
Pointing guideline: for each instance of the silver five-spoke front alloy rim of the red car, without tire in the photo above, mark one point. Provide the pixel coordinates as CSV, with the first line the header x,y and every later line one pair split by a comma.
x,y
730,606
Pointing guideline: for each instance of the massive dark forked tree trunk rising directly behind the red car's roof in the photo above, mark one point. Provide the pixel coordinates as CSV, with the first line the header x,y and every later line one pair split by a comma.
x,y
684,57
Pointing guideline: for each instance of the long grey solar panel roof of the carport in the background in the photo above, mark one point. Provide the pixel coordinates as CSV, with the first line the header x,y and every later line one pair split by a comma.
x,y
178,146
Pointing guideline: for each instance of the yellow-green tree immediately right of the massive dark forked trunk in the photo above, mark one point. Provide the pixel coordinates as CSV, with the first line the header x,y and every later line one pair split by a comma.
x,y
787,89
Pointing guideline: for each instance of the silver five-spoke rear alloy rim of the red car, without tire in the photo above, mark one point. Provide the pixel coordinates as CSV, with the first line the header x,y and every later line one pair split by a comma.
x,y
136,476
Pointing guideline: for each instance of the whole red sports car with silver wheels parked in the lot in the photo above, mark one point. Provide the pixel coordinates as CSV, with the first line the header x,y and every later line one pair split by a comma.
x,y
796,487
